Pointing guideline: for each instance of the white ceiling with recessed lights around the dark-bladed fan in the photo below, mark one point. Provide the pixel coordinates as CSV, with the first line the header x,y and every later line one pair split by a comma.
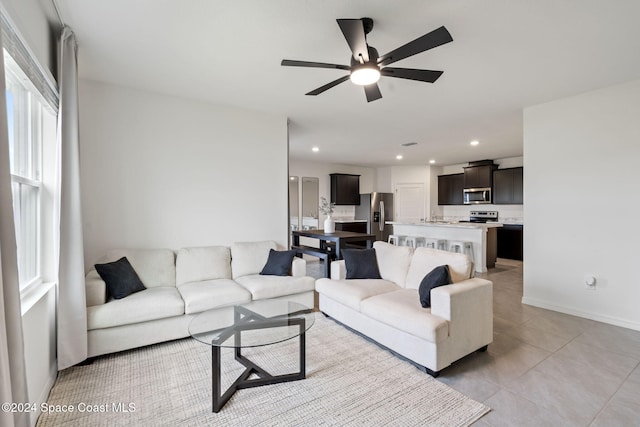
x,y
506,55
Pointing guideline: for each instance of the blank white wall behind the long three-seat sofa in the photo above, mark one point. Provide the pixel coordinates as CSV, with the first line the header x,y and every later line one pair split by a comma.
x,y
166,172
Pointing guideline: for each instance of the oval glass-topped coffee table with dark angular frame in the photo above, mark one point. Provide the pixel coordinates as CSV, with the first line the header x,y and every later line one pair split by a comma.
x,y
254,324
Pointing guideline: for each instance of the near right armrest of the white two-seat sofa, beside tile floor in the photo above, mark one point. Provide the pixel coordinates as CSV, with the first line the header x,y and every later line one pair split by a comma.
x,y
468,306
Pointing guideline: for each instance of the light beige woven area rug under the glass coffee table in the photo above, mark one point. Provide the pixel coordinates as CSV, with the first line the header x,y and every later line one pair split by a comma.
x,y
350,381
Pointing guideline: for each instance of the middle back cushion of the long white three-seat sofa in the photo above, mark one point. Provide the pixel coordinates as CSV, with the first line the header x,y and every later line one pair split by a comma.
x,y
203,263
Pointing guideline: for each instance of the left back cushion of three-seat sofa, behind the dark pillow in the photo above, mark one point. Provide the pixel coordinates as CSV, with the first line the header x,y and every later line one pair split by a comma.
x,y
155,267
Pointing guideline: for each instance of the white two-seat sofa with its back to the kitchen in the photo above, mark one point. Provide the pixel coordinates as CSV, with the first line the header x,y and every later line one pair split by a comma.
x,y
388,310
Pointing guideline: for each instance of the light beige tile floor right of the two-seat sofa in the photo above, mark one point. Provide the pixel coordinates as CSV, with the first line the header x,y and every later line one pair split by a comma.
x,y
546,368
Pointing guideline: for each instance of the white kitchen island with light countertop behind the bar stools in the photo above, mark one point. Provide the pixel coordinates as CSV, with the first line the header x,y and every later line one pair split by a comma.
x,y
482,236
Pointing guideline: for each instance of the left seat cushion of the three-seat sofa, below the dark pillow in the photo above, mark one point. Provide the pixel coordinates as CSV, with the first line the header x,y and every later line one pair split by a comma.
x,y
151,304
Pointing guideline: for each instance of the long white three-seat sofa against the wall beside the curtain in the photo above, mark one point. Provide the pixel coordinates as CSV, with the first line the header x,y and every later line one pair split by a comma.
x,y
180,285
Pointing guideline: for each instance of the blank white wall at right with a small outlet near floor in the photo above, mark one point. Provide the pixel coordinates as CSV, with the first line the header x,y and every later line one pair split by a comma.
x,y
581,180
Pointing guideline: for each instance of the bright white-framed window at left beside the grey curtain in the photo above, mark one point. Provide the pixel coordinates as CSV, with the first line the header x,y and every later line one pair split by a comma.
x,y
25,112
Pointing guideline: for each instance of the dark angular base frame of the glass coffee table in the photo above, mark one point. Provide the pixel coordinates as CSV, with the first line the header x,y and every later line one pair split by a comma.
x,y
245,320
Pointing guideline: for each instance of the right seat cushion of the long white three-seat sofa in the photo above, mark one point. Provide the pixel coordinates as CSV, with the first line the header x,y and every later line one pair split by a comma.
x,y
263,287
